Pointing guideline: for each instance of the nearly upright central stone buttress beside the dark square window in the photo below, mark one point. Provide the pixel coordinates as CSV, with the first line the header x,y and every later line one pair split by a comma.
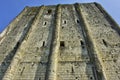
x,y
51,73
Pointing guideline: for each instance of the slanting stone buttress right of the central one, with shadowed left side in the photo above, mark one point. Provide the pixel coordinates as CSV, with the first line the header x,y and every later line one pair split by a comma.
x,y
94,60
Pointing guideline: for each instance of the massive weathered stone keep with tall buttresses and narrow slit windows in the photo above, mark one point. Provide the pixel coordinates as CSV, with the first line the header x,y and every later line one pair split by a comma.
x,y
61,42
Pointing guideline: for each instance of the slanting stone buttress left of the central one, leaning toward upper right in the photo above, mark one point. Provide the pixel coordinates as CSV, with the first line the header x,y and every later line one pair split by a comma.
x,y
9,75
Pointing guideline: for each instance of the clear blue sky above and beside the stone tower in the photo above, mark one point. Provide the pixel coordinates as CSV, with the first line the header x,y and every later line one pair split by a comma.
x,y
11,8
